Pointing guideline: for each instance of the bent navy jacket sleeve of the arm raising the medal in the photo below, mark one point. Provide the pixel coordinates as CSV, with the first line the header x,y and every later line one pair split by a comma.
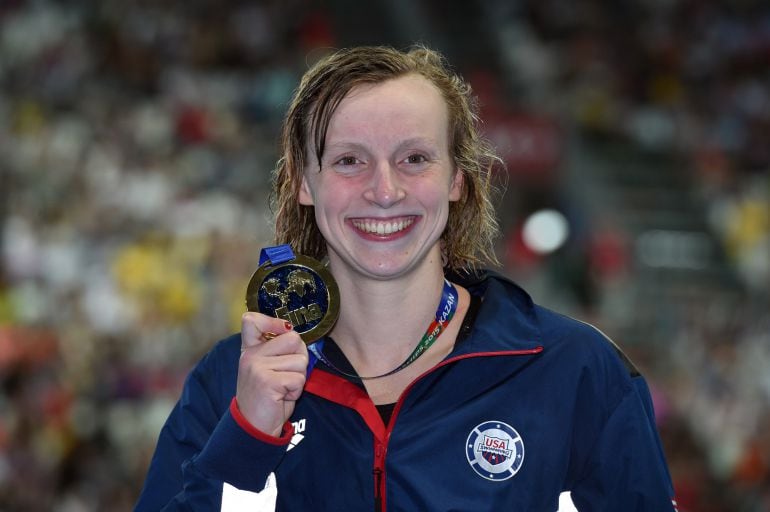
x,y
205,443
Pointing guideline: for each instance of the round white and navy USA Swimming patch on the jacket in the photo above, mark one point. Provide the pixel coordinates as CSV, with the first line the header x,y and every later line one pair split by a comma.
x,y
495,450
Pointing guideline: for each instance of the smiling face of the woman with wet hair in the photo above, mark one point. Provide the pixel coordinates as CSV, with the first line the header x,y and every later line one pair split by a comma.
x,y
382,196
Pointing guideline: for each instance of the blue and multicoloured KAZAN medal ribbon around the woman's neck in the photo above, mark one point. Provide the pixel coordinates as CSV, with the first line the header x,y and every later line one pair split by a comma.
x,y
444,313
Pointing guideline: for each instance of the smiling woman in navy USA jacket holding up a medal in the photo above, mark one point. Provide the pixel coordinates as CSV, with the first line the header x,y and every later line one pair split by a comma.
x,y
498,404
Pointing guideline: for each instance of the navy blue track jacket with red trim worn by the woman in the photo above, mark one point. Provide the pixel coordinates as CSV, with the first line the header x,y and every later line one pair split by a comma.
x,y
530,404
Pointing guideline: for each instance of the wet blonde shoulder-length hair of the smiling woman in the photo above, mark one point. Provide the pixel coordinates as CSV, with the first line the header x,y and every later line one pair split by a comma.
x,y
468,238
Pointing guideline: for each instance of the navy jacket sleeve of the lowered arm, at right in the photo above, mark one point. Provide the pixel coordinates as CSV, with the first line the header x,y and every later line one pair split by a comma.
x,y
624,467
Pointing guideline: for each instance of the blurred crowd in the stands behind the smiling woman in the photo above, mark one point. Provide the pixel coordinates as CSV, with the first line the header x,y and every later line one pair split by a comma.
x,y
136,144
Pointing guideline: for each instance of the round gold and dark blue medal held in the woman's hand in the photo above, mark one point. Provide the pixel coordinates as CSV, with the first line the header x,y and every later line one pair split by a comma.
x,y
301,291
